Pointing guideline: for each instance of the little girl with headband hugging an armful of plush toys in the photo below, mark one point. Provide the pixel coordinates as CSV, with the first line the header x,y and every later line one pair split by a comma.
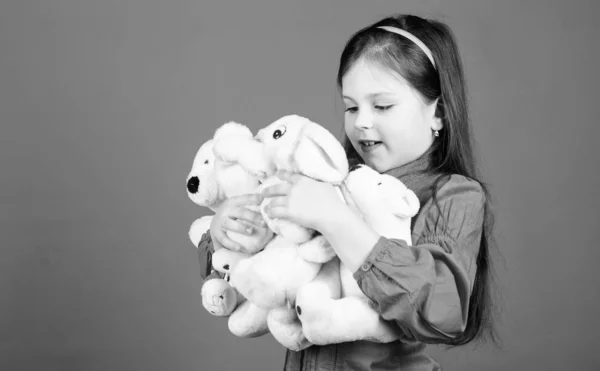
x,y
406,115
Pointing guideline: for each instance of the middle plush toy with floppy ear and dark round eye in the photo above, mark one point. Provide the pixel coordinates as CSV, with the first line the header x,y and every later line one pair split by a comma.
x,y
271,278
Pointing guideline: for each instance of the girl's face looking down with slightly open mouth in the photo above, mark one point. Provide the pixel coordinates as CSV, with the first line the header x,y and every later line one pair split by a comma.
x,y
387,120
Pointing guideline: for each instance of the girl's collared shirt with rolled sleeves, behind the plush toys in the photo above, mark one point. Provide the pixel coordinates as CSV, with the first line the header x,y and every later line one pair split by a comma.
x,y
423,288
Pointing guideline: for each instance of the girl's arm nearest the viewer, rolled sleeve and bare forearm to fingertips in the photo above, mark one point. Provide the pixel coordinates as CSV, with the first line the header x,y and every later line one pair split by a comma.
x,y
424,288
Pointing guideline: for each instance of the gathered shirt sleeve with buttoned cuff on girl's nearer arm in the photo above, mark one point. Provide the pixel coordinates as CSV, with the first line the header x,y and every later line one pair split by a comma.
x,y
425,288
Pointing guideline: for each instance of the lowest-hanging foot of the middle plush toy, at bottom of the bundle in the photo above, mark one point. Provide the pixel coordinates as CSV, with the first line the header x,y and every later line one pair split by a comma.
x,y
286,328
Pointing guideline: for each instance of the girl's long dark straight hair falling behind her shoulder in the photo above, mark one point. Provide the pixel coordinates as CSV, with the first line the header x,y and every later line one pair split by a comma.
x,y
451,152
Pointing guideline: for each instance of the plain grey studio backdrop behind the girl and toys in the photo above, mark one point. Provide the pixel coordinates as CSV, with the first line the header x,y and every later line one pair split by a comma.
x,y
103,105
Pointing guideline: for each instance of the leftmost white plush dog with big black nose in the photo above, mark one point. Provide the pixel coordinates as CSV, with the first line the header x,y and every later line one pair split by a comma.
x,y
209,183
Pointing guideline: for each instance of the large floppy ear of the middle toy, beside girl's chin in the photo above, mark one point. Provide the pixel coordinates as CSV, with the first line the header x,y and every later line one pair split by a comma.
x,y
320,155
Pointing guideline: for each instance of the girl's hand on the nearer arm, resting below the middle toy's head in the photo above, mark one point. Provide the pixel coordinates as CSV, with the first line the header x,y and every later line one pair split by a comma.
x,y
302,200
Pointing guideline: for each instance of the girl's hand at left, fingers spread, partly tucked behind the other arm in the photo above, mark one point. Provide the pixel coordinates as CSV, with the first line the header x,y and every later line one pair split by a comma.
x,y
233,216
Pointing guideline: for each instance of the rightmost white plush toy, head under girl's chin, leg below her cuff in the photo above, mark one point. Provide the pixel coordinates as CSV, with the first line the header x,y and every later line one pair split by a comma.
x,y
332,307
